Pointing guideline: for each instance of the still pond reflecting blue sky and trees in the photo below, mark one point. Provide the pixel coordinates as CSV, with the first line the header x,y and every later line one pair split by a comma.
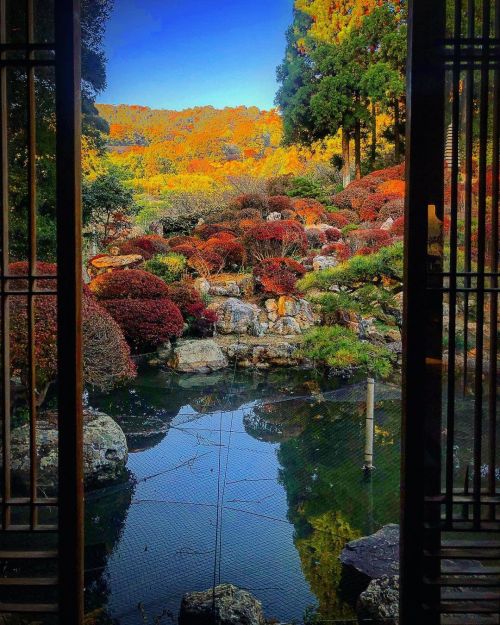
x,y
250,478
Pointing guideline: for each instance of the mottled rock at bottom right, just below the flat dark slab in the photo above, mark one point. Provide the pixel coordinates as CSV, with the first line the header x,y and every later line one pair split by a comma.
x,y
379,603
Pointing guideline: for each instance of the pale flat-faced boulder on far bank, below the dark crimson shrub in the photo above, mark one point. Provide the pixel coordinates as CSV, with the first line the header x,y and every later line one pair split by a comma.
x,y
197,356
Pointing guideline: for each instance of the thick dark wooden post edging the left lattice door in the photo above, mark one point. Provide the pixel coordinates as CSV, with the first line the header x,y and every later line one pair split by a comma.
x,y
69,310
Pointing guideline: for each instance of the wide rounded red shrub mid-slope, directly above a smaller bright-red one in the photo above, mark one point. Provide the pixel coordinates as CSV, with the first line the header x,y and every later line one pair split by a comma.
x,y
275,238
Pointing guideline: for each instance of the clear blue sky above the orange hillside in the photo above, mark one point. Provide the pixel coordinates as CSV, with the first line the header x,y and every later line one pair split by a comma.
x,y
180,53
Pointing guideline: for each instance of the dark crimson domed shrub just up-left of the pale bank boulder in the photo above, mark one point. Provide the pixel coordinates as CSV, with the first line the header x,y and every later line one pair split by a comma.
x,y
146,323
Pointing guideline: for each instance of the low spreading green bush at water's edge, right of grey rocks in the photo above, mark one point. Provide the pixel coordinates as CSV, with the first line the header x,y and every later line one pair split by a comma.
x,y
341,349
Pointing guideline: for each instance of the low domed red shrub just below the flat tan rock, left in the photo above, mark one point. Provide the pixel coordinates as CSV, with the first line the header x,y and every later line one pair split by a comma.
x,y
130,284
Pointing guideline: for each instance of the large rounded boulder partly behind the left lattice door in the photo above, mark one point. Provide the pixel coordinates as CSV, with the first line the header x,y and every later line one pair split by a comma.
x,y
105,449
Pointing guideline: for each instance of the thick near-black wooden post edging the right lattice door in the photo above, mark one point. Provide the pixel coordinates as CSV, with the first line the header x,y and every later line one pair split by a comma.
x,y
422,309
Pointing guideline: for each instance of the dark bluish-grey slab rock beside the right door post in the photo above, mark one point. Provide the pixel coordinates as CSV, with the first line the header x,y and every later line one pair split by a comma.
x,y
372,557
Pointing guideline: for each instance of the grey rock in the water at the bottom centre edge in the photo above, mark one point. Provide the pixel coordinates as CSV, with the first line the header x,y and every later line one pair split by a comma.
x,y
233,606
